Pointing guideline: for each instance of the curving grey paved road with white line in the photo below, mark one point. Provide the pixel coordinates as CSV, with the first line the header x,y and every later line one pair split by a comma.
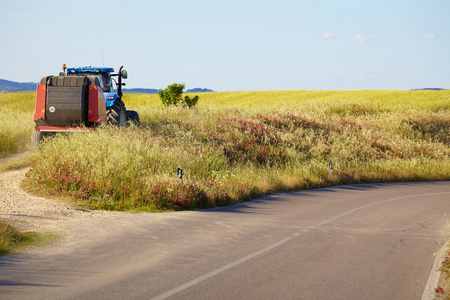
x,y
374,241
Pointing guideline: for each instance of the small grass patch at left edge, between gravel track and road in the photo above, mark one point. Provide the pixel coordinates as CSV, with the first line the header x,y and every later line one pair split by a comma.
x,y
14,241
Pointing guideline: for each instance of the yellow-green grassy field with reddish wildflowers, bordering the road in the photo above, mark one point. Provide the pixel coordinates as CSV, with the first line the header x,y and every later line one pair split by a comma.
x,y
235,146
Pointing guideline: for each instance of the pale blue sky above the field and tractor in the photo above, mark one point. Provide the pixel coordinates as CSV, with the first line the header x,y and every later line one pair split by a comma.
x,y
233,45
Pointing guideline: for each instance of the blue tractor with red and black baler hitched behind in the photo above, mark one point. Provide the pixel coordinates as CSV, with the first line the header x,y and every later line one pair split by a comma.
x,y
80,99
